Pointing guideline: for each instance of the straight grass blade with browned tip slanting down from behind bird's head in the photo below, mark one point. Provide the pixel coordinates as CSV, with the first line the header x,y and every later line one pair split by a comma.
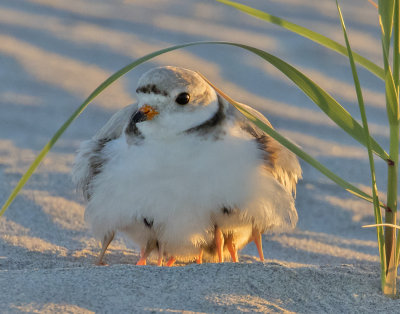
x,y
293,147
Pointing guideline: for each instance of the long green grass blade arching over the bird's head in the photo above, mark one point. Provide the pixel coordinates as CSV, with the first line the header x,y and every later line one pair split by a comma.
x,y
326,102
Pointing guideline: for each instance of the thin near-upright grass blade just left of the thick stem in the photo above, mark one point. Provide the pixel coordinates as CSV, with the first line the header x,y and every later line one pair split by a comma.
x,y
377,211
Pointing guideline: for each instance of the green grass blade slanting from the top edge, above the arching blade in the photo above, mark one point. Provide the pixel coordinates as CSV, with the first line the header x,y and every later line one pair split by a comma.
x,y
307,33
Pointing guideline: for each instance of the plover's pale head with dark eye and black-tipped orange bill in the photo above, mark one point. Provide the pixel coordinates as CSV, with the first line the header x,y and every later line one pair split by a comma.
x,y
171,101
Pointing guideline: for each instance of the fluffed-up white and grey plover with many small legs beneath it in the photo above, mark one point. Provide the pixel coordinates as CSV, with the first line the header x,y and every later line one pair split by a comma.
x,y
184,175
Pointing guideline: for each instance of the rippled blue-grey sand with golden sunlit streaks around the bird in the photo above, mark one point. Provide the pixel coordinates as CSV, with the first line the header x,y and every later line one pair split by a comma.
x,y
54,53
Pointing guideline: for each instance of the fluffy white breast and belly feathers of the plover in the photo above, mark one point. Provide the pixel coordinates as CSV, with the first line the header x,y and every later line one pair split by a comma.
x,y
182,185
